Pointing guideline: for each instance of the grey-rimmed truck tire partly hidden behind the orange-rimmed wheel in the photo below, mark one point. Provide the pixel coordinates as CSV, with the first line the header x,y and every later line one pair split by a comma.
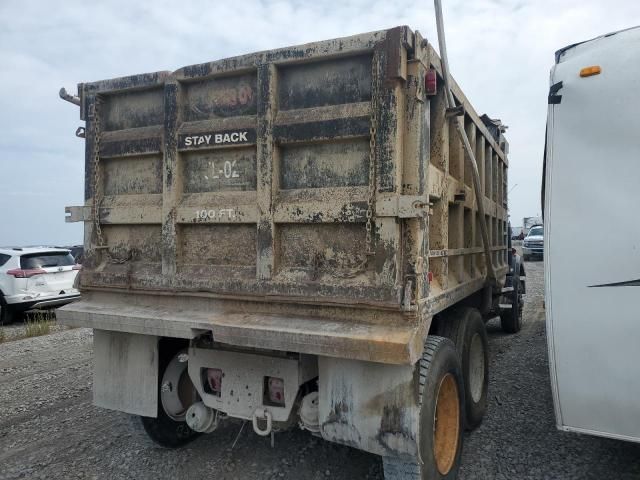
x,y
465,327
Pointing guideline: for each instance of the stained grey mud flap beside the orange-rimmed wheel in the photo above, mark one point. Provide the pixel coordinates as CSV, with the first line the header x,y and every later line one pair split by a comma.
x,y
369,406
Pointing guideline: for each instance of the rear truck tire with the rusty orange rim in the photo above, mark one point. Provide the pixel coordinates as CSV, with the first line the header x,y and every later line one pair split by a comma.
x,y
441,405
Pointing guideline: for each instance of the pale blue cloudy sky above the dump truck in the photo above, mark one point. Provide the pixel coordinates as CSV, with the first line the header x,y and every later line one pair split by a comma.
x,y
500,52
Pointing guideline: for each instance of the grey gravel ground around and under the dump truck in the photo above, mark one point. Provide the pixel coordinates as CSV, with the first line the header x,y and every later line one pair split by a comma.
x,y
49,429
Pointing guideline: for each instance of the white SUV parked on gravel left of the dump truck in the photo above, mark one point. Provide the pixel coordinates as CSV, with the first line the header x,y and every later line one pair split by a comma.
x,y
35,277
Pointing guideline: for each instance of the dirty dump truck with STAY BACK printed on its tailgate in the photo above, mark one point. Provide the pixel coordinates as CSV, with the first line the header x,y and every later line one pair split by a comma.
x,y
292,238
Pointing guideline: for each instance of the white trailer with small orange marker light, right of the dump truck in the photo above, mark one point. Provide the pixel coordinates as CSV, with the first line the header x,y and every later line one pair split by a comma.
x,y
592,268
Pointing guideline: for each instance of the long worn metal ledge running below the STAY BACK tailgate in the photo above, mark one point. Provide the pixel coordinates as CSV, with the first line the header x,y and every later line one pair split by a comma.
x,y
397,341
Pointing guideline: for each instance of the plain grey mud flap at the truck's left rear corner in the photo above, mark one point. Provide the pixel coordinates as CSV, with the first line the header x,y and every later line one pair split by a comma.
x,y
125,372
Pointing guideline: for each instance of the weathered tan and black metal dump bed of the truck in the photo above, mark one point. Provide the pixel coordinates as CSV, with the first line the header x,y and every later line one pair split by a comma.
x,y
312,181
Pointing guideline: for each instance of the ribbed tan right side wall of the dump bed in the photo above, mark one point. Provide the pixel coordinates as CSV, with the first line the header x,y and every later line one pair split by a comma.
x,y
452,256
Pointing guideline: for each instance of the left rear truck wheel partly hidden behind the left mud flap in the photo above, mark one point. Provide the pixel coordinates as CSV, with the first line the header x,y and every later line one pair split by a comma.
x,y
175,395
